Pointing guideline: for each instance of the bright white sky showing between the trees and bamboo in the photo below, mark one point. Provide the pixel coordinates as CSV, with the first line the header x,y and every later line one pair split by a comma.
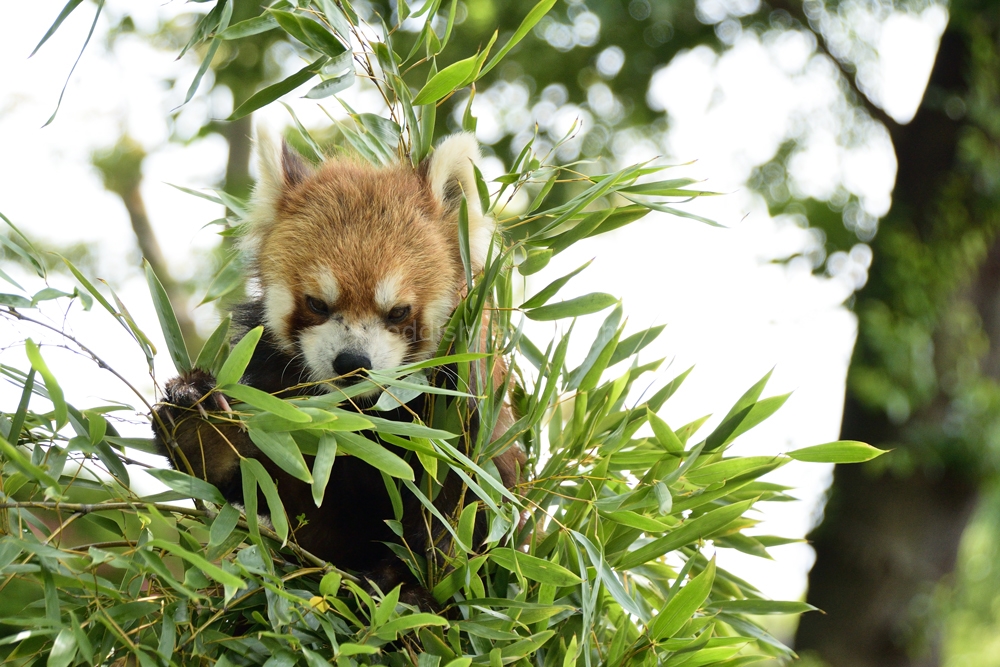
x,y
729,312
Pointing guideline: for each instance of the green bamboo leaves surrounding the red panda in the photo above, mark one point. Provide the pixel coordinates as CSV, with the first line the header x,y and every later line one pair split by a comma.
x,y
602,556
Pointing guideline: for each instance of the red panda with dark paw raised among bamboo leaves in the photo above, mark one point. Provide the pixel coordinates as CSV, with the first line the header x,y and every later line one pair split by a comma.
x,y
357,268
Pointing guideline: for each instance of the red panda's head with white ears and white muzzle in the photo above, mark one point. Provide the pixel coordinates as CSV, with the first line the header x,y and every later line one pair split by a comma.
x,y
359,266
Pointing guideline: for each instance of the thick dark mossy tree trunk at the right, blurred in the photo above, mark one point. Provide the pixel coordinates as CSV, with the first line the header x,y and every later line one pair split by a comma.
x,y
892,528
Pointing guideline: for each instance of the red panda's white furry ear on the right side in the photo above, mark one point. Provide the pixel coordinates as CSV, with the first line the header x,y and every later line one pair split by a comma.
x,y
449,174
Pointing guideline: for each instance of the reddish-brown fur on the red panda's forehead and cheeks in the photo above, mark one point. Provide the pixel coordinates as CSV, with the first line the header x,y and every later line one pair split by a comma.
x,y
341,220
